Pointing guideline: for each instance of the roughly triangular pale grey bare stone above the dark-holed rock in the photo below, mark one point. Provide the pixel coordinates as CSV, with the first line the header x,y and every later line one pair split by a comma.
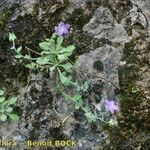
x,y
103,25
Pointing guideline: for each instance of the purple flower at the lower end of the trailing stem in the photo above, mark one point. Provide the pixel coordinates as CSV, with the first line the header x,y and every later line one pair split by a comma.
x,y
111,106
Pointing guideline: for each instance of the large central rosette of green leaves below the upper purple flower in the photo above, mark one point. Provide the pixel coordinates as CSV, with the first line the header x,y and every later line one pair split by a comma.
x,y
55,55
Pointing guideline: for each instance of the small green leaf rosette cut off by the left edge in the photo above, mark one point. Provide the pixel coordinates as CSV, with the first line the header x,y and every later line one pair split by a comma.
x,y
6,109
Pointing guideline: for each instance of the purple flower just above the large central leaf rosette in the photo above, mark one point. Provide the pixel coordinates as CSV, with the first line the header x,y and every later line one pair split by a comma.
x,y
62,29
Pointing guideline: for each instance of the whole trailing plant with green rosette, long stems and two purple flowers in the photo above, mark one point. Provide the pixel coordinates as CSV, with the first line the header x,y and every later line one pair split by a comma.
x,y
54,58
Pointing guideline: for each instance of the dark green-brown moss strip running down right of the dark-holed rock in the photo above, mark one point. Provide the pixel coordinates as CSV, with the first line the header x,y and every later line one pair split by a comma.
x,y
132,120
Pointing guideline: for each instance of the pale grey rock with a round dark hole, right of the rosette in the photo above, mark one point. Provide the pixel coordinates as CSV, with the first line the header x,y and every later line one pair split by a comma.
x,y
101,64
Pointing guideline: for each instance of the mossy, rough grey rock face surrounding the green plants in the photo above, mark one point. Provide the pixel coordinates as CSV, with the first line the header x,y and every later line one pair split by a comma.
x,y
113,52
